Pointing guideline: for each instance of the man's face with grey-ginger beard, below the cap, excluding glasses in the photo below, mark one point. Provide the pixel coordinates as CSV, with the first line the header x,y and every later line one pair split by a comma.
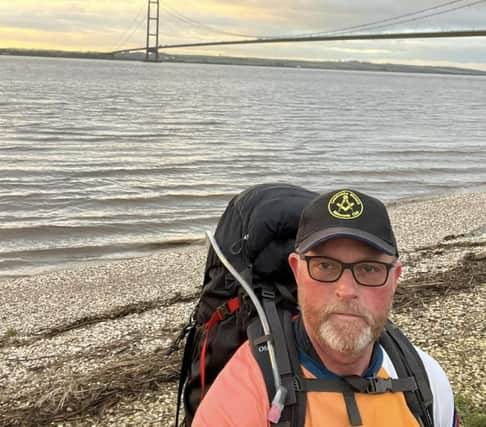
x,y
344,316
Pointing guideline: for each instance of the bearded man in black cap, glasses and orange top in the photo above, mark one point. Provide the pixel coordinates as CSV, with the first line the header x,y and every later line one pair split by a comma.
x,y
346,268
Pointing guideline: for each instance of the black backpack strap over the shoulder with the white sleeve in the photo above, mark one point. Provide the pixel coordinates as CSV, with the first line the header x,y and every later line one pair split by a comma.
x,y
407,362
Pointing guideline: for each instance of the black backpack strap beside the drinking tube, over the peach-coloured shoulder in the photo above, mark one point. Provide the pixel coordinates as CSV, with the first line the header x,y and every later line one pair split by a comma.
x,y
287,360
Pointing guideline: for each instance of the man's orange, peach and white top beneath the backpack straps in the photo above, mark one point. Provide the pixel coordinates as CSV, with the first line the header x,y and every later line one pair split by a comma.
x,y
238,398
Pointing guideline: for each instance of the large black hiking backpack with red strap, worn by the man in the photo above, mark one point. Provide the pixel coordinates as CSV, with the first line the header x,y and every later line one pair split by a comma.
x,y
254,237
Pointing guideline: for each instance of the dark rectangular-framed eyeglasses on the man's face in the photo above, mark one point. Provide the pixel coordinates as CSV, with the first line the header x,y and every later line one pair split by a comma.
x,y
366,273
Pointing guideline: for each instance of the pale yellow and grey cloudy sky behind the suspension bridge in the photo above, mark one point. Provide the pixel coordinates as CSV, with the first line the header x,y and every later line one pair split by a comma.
x,y
104,25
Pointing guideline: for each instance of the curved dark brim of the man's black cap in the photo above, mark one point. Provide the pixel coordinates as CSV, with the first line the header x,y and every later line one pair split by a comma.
x,y
331,233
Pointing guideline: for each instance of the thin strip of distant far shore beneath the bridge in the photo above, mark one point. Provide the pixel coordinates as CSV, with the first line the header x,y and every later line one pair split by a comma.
x,y
262,62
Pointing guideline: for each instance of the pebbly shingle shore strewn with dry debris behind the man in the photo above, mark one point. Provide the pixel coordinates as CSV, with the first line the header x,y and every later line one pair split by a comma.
x,y
85,347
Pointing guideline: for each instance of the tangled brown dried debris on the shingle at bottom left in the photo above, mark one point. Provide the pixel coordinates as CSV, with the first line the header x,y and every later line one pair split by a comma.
x,y
67,398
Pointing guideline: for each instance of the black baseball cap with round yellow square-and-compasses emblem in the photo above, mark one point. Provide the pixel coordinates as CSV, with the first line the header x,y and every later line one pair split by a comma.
x,y
345,213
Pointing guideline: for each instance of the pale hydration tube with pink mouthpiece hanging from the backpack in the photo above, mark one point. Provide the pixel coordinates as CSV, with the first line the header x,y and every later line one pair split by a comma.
x,y
278,401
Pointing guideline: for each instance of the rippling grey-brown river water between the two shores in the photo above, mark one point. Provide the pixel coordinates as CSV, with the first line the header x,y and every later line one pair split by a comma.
x,y
109,159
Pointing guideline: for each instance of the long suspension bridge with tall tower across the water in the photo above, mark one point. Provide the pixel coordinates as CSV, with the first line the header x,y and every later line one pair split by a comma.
x,y
153,47
